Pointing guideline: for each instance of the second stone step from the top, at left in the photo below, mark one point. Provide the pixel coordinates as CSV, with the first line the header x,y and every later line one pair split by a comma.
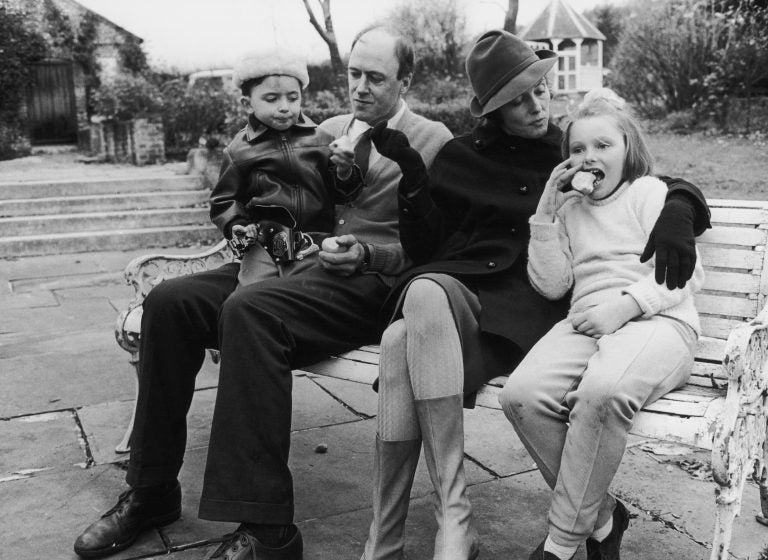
x,y
103,203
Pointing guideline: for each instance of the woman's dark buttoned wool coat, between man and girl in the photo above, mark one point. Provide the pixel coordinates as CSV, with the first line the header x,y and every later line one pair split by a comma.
x,y
471,222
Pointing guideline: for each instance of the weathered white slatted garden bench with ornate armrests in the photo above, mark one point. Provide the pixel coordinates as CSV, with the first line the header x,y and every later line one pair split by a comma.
x,y
722,408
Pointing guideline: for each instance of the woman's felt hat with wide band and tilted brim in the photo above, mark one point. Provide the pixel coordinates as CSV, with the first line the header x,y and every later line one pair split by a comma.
x,y
500,67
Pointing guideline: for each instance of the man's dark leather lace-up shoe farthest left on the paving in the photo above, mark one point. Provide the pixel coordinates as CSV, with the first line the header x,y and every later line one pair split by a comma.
x,y
135,511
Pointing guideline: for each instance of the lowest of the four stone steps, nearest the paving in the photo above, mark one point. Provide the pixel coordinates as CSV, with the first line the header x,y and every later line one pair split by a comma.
x,y
110,240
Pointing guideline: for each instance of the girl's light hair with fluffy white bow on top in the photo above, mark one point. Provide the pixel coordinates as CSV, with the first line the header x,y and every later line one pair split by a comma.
x,y
604,102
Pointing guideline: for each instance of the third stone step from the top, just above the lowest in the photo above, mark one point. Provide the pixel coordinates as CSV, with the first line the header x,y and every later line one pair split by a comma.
x,y
102,221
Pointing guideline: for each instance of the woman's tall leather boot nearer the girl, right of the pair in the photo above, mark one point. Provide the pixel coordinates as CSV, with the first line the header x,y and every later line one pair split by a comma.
x,y
442,431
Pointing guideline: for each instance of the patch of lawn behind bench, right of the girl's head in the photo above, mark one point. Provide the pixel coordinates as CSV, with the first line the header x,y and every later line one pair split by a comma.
x,y
721,166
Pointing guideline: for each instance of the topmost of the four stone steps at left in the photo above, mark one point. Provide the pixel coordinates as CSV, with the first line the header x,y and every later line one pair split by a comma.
x,y
10,190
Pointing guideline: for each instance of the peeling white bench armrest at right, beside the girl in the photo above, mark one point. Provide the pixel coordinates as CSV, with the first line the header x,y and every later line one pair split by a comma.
x,y
741,429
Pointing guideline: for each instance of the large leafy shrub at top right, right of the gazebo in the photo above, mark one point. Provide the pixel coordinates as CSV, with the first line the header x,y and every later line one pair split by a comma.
x,y
677,55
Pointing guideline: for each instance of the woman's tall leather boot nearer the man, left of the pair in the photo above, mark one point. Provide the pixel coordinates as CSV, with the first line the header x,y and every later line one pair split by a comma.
x,y
394,467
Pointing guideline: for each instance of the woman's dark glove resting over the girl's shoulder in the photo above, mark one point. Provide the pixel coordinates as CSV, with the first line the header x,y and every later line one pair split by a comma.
x,y
673,241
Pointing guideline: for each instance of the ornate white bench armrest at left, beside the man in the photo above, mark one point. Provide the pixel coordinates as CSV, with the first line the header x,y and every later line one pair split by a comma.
x,y
147,271
